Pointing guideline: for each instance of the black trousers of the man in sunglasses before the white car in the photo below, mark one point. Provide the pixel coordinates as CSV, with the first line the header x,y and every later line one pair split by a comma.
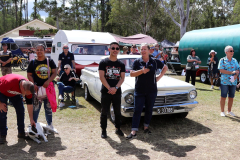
x,y
106,101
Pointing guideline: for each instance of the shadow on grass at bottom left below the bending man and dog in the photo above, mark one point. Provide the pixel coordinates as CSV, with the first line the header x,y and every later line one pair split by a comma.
x,y
20,151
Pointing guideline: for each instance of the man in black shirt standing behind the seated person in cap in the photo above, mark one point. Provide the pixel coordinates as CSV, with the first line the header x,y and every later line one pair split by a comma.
x,y
64,58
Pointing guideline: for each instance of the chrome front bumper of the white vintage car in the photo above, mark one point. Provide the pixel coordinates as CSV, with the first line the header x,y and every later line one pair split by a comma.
x,y
178,108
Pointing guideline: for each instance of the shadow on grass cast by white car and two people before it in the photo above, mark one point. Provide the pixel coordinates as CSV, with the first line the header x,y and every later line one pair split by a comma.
x,y
164,130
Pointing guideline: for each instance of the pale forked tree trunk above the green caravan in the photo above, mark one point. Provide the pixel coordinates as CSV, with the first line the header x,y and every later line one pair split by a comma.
x,y
183,16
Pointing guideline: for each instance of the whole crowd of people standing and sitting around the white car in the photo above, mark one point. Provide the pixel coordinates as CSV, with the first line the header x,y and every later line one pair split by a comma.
x,y
42,71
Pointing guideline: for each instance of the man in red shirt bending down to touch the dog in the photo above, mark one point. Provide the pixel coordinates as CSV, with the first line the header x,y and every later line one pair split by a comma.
x,y
14,87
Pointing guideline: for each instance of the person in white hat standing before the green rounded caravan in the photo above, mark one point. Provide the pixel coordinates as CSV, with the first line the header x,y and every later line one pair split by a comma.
x,y
213,67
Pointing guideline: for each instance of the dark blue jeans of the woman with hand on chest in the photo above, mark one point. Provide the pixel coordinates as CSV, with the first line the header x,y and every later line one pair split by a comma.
x,y
141,99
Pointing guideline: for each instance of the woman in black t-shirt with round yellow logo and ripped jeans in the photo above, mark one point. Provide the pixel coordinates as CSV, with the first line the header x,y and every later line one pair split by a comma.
x,y
38,72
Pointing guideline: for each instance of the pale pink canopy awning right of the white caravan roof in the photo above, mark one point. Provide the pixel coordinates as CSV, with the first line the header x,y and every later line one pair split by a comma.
x,y
135,39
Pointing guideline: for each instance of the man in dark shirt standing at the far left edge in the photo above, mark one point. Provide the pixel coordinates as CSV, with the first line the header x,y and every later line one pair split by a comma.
x,y
5,60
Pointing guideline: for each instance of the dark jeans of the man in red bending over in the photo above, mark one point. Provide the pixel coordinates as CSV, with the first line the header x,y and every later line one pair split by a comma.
x,y
20,111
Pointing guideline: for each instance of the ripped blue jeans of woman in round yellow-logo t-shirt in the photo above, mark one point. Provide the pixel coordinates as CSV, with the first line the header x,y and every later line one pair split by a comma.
x,y
48,110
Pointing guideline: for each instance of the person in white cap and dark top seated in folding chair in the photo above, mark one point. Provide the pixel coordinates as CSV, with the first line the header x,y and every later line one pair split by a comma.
x,y
66,82
